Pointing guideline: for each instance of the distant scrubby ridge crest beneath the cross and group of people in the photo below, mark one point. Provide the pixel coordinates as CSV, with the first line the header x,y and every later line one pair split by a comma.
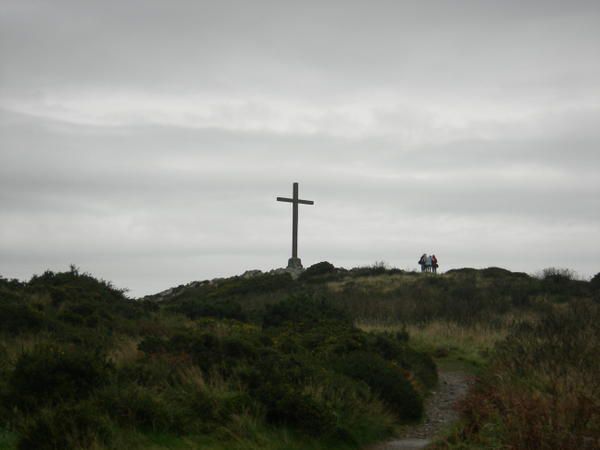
x,y
387,295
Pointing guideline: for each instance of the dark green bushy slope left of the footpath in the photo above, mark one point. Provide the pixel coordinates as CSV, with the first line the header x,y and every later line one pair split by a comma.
x,y
83,366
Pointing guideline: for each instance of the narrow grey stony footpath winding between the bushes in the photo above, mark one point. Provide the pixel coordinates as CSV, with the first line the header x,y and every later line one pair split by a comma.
x,y
440,412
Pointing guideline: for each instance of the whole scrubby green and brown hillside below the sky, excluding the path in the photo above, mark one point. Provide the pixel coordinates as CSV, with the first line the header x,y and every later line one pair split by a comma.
x,y
336,359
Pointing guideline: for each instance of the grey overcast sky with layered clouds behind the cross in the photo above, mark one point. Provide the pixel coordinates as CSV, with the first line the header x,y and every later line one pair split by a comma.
x,y
145,141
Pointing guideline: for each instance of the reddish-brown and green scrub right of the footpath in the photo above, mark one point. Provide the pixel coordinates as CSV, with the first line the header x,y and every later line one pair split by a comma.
x,y
541,390
